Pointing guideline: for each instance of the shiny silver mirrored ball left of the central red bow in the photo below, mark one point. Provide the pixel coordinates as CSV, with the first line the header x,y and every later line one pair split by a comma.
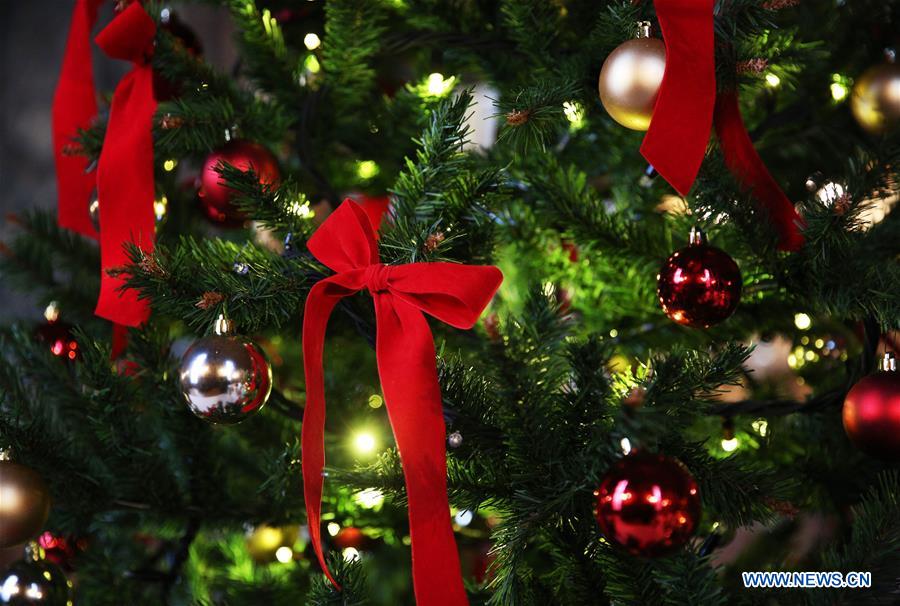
x,y
225,378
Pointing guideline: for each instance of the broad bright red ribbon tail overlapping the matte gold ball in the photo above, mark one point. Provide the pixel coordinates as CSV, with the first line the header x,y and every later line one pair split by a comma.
x,y
676,141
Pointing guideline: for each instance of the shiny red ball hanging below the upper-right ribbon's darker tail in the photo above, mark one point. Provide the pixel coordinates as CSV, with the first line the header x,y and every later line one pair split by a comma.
x,y
699,285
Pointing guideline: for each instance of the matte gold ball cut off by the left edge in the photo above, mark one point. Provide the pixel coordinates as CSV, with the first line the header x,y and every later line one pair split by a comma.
x,y
24,503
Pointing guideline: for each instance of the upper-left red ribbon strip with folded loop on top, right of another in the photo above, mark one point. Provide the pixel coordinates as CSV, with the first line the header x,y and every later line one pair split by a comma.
x,y
125,172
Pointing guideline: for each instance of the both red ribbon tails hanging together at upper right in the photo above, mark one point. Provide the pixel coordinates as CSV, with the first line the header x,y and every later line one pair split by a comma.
x,y
686,108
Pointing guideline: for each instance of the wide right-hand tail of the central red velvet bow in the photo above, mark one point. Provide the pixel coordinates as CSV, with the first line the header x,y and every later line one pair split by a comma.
x,y
405,352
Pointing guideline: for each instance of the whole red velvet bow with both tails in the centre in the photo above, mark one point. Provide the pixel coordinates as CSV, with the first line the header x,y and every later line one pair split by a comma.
x,y
404,349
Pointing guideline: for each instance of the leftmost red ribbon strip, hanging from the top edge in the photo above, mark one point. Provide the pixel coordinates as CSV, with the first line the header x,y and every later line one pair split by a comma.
x,y
74,107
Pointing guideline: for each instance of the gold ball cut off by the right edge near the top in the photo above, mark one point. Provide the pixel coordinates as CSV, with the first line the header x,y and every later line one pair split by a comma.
x,y
876,98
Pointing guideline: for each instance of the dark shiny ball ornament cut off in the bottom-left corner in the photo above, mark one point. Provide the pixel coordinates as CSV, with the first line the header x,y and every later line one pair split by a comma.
x,y
34,580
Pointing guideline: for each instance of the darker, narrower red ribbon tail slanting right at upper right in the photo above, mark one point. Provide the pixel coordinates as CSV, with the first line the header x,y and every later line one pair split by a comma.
x,y
750,171
